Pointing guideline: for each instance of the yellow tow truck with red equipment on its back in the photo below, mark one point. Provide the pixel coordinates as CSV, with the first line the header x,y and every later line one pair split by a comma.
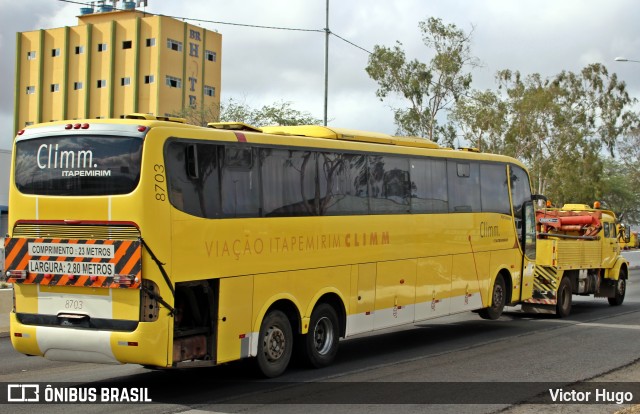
x,y
577,253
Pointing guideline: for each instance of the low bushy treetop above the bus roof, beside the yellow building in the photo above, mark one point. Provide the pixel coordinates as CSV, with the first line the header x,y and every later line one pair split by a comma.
x,y
278,113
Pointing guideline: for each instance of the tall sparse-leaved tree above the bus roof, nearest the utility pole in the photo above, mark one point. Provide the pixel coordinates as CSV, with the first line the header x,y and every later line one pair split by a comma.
x,y
428,88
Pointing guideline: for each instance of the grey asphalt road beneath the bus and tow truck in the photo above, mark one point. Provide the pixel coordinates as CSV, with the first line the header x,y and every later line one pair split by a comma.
x,y
455,364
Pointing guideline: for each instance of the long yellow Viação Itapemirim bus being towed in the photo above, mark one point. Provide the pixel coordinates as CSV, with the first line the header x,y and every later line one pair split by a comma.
x,y
149,241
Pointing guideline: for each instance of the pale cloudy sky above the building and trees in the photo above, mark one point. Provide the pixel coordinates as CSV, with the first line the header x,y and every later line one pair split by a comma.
x,y
267,66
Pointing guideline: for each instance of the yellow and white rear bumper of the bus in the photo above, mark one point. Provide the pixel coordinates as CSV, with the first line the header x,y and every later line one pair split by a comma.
x,y
142,346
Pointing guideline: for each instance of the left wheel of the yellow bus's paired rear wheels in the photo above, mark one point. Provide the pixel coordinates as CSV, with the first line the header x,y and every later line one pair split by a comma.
x,y
275,344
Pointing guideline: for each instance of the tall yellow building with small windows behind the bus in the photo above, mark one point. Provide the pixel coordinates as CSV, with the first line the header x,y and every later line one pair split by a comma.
x,y
115,62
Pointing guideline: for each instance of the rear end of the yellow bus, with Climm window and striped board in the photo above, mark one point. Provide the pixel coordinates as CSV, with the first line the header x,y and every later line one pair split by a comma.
x,y
75,249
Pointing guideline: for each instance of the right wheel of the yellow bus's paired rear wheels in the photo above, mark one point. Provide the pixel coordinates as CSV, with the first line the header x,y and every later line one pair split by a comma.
x,y
321,343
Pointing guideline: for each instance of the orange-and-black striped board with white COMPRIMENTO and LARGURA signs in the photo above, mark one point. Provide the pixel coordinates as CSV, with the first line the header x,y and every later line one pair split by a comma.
x,y
70,262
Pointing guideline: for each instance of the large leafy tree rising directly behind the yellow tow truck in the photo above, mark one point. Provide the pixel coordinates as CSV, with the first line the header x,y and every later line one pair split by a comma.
x,y
560,127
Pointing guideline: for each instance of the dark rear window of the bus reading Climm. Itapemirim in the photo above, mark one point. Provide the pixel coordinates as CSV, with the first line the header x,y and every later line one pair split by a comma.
x,y
78,165
